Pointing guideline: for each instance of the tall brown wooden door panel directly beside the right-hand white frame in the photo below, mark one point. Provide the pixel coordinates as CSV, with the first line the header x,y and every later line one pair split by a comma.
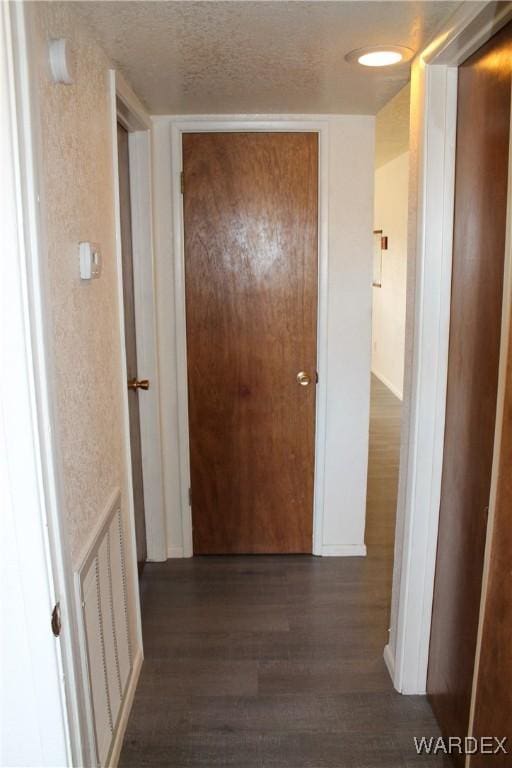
x,y
483,125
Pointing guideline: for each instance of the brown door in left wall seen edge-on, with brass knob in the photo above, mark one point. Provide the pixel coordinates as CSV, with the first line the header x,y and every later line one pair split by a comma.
x,y
130,343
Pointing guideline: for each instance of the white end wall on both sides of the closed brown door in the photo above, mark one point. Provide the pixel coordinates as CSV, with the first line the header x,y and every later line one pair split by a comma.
x,y
349,209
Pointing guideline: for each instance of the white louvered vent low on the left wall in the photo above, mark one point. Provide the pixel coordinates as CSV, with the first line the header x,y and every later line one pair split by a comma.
x,y
103,599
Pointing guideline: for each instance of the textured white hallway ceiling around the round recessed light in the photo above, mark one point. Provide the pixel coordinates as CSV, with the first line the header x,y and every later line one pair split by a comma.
x,y
257,56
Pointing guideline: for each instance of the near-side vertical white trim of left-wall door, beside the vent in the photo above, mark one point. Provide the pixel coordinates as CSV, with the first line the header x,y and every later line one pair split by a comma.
x,y
131,559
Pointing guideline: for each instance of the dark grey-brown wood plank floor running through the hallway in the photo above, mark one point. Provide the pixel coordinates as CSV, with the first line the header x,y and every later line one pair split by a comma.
x,y
276,662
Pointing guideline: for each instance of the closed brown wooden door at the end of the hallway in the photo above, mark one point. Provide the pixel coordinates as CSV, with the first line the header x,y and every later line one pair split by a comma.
x,y
251,234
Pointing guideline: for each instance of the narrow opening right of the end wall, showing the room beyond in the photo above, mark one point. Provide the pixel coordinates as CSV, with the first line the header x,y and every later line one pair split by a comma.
x,y
389,294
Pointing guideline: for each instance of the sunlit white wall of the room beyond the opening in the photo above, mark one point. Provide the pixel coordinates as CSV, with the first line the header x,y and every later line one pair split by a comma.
x,y
389,301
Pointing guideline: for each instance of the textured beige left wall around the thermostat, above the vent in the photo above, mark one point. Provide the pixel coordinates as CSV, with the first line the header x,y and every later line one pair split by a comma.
x,y
78,204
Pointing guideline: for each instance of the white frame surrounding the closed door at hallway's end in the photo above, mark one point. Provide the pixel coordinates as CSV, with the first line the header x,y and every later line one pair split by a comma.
x,y
225,124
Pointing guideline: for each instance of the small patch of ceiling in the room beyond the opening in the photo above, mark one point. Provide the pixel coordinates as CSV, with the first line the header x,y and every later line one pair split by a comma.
x,y
392,128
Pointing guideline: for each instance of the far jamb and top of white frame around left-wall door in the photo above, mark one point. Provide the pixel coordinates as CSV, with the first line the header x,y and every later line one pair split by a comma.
x,y
133,116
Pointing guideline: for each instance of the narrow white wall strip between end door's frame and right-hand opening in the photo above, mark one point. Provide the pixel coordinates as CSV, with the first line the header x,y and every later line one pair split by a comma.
x,y
351,178
